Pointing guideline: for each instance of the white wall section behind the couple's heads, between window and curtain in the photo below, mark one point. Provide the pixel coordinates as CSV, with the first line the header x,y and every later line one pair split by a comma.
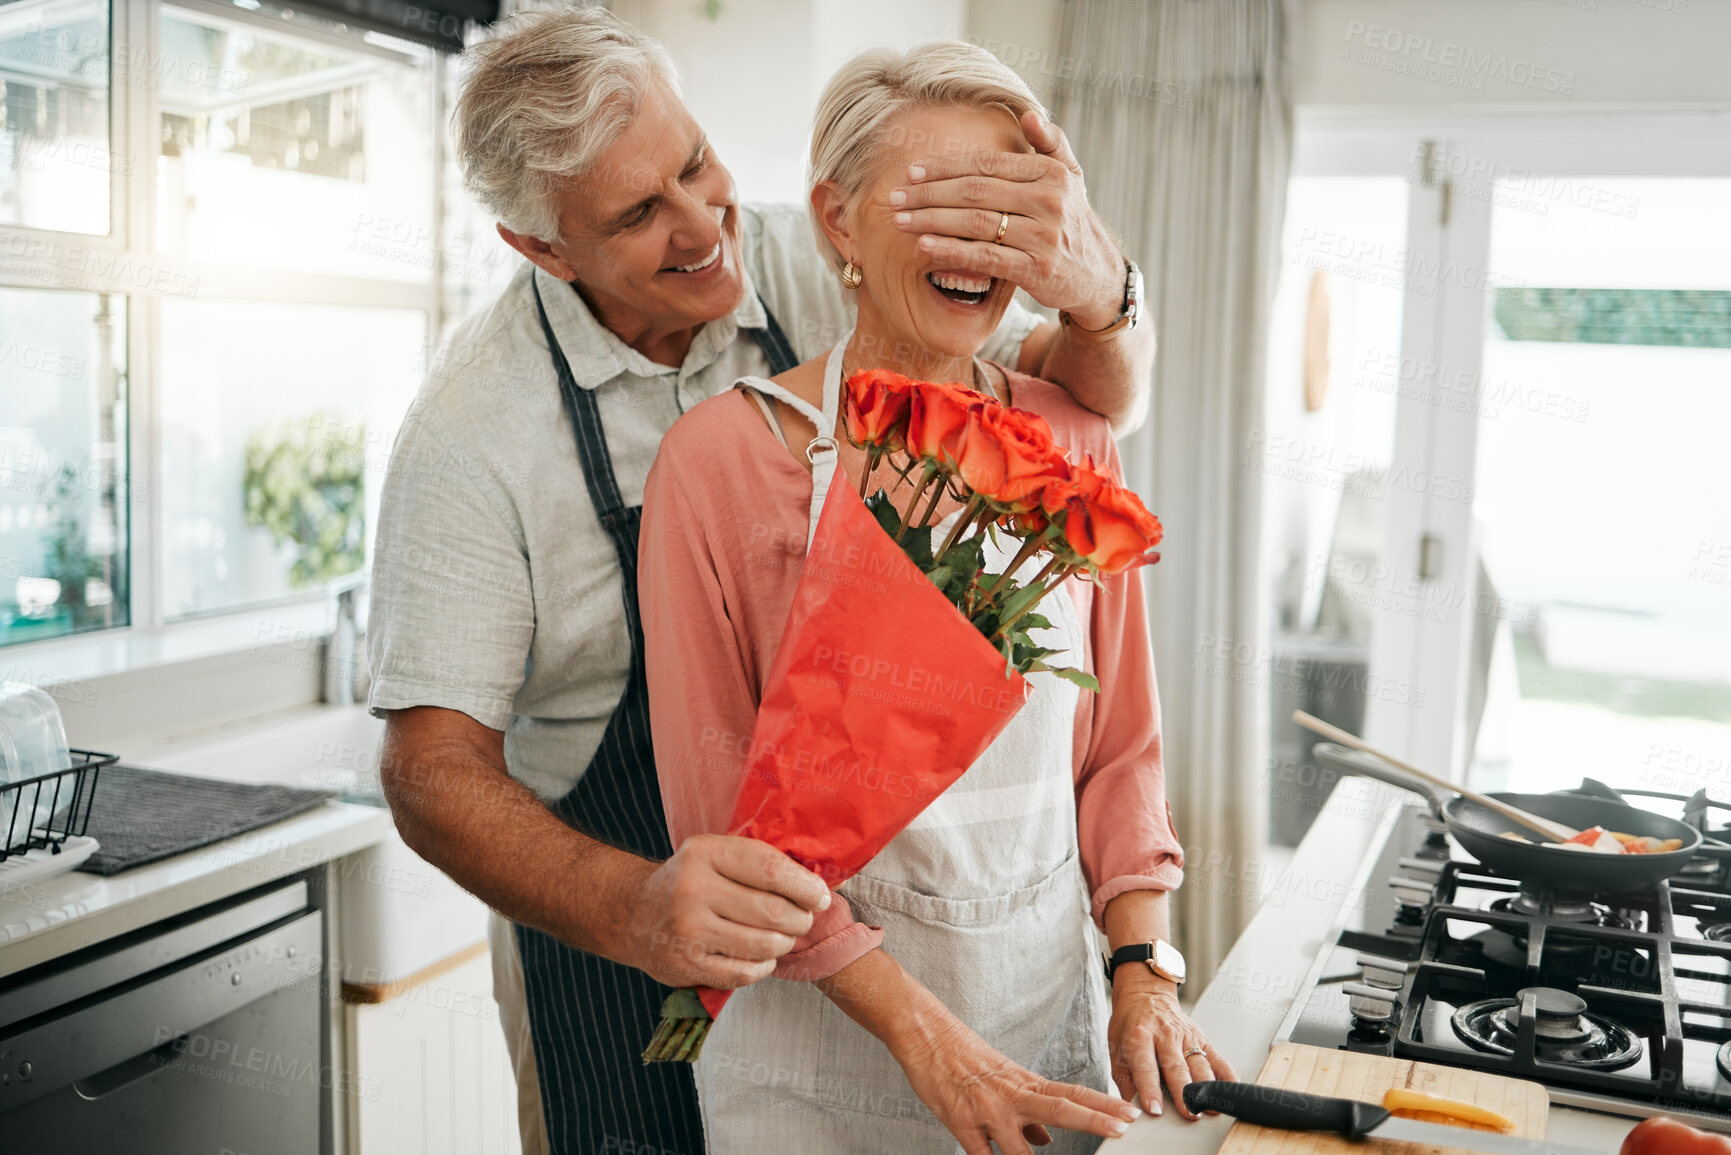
x,y
754,75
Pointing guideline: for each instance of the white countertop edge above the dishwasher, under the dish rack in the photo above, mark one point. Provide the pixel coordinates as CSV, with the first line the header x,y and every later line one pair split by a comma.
x,y
55,917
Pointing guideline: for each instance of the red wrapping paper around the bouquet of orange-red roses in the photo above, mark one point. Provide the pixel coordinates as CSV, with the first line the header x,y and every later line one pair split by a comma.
x,y
880,699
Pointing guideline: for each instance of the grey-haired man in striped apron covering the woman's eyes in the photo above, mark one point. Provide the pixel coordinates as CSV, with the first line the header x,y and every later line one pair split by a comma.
x,y
506,645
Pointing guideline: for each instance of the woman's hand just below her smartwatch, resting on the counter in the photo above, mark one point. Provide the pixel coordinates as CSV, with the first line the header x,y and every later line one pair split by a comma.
x,y
1152,1040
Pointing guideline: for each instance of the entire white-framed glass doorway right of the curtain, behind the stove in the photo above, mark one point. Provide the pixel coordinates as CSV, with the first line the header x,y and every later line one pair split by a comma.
x,y
1500,539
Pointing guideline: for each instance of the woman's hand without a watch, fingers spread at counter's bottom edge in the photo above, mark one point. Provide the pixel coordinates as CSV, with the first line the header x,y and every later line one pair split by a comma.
x,y
986,1099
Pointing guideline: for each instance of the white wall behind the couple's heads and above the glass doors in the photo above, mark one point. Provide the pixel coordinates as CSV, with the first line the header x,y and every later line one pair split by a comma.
x,y
752,75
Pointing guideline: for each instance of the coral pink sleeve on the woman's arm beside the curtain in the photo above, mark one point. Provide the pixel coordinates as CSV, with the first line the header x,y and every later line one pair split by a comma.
x,y
1124,822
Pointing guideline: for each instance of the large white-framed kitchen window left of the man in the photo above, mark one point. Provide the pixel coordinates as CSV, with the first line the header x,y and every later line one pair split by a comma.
x,y
209,339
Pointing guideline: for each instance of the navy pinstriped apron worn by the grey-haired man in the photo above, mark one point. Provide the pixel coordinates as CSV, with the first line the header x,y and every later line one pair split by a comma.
x,y
591,1017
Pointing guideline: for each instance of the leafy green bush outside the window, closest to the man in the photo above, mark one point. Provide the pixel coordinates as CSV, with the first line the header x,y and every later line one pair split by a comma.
x,y
304,484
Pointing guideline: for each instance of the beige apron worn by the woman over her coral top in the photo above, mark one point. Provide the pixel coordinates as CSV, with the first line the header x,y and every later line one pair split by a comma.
x,y
982,900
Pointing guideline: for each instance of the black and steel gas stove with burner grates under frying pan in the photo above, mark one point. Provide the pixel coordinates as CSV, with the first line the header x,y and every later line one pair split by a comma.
x,y
1618,1003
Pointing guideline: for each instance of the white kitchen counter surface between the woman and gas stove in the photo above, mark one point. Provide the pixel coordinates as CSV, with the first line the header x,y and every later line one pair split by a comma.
x,y
1245,1003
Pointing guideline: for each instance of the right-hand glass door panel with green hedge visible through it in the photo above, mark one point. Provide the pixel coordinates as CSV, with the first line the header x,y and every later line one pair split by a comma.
x,y
1604,487
